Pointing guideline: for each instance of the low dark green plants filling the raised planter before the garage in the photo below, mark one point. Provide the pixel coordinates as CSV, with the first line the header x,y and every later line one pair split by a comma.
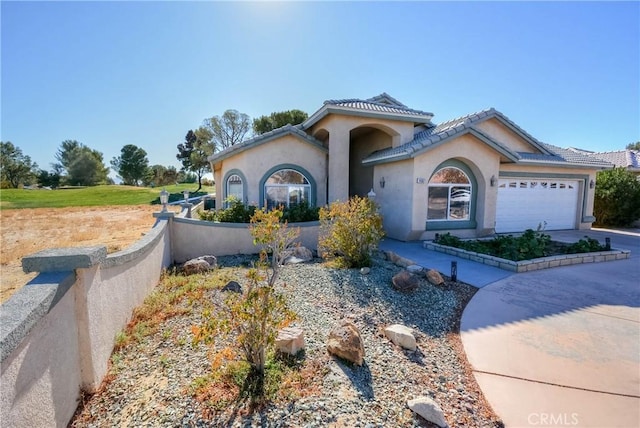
x,y
531,245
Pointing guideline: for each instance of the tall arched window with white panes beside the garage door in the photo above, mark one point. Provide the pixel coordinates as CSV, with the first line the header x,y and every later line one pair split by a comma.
x,y
449,195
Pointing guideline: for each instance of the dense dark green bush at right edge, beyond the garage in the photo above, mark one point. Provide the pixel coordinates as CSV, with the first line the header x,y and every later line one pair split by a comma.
x,y
617,198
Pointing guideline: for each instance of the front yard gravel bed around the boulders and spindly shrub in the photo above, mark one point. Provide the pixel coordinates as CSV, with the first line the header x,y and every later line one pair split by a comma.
x,y
150,381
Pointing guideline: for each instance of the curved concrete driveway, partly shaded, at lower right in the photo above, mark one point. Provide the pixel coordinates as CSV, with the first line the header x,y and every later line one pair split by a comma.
x,y
561,347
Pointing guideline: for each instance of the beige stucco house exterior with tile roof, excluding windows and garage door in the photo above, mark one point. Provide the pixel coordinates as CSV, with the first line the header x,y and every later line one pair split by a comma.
x,y
344,139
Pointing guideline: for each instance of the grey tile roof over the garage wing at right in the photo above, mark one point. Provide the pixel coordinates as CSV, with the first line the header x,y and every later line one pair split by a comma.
x,y
424,140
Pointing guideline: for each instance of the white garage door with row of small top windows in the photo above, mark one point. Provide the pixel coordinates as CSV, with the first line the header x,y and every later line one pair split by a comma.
x,y
526,203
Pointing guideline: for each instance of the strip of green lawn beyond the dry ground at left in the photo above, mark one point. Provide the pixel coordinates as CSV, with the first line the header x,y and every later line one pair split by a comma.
x,y
91,196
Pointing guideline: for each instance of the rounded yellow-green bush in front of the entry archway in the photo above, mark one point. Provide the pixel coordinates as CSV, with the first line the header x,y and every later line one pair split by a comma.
x,y
350,231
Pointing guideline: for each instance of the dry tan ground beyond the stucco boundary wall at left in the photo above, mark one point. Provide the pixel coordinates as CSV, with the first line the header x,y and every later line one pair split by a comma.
x,y
26,231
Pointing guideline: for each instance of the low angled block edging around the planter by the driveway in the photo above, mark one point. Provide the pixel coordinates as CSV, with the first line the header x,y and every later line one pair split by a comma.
x,y
533,264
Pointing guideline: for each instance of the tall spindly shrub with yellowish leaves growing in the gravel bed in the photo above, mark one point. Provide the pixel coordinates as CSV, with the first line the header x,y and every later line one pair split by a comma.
x,y
256,315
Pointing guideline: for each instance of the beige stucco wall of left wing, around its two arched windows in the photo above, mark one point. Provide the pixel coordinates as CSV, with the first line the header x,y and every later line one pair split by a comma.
x,y
256,162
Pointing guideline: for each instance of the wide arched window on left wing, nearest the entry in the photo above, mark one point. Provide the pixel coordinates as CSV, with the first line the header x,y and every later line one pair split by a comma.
x,y
286,187
